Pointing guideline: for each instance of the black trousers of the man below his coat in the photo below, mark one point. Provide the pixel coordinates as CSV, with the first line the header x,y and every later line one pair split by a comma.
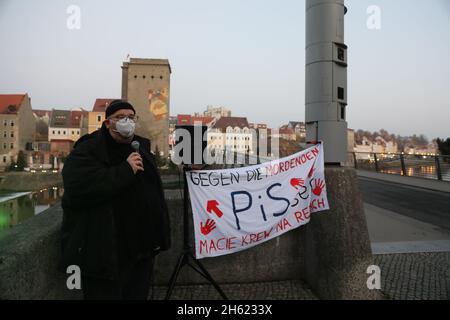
x,y
133,283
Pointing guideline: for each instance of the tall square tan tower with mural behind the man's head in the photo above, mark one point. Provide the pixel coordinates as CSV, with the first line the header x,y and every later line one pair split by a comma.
x,y
146,85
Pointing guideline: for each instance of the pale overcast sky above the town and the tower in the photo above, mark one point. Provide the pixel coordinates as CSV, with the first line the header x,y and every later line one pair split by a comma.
x,y
247,55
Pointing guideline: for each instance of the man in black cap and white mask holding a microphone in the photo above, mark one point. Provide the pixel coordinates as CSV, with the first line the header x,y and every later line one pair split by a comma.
x,y
115,217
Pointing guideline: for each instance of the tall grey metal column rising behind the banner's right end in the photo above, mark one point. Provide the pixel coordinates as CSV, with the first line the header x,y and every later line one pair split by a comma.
x,y
326,77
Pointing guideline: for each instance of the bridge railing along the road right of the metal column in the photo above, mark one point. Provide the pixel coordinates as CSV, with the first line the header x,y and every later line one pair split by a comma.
x,y
427,166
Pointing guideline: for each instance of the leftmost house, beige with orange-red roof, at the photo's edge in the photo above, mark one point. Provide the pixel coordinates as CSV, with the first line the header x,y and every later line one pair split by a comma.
x,y
17,126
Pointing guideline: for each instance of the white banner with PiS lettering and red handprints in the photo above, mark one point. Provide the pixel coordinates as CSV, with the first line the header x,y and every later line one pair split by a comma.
x,y
236,209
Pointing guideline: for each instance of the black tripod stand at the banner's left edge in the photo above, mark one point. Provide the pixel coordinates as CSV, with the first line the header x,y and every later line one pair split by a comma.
x,y
187,257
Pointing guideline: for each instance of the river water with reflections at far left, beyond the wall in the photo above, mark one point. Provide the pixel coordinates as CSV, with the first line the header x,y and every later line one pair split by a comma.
x,y
17,207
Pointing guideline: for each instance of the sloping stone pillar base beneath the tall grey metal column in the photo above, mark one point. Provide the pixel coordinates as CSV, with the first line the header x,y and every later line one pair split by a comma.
x,y
336,242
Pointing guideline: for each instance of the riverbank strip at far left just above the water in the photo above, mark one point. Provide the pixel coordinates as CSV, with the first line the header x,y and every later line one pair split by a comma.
x,y
26,181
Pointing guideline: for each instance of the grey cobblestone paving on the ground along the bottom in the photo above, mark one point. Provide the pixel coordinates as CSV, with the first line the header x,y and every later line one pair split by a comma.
x,y
418,276
